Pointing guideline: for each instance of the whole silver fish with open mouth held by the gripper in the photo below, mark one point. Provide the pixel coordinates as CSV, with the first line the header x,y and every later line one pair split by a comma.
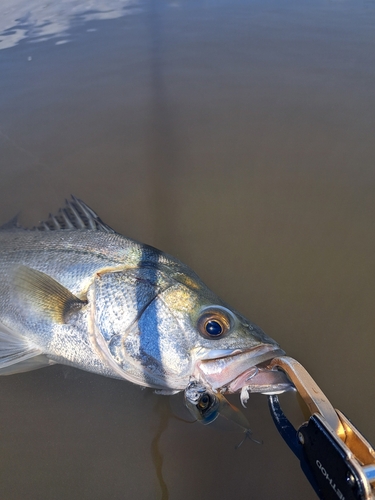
x,y
75,292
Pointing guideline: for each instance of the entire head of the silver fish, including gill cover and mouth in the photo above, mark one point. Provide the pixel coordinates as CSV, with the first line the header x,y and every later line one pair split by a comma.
x,y
159,325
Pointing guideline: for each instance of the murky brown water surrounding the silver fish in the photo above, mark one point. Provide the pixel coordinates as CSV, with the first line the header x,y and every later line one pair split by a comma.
x,y
239,137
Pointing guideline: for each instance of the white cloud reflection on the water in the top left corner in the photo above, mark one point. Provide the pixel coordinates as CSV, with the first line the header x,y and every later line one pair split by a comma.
x,y
37,20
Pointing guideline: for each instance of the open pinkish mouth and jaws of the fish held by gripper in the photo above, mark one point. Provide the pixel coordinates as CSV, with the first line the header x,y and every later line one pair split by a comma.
x,y
229,370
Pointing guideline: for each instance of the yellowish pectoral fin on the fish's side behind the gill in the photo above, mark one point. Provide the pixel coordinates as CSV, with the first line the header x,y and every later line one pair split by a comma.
x,y
44,295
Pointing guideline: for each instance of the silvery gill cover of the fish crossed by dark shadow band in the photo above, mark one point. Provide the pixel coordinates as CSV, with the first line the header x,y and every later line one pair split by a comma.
x,y
134,329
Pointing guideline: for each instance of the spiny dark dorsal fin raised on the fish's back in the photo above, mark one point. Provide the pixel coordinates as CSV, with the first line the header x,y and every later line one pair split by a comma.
x,y
75,215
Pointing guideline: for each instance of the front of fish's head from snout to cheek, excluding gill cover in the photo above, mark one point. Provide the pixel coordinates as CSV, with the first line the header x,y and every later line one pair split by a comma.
x,y
224,348
